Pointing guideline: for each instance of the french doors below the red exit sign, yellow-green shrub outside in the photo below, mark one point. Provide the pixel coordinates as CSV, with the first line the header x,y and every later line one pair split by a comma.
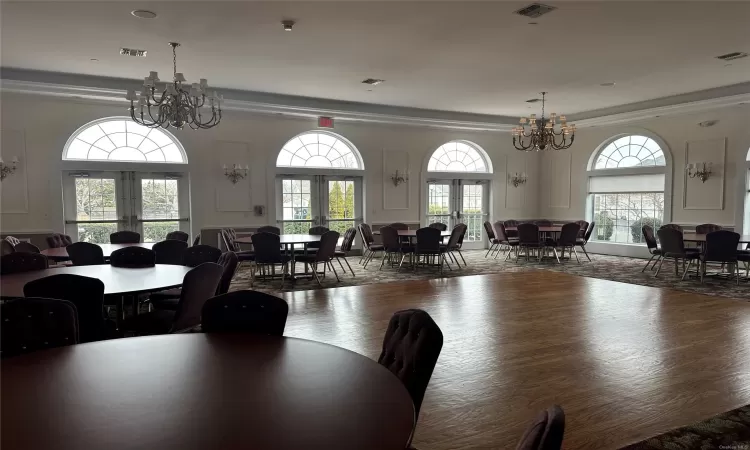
x,y
306,201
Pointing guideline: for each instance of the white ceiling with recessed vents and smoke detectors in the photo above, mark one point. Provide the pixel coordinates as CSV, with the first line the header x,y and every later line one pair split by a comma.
x,y
474,57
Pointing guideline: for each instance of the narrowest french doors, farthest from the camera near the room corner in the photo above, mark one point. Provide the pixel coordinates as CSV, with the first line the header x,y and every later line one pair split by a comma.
x,y
460,201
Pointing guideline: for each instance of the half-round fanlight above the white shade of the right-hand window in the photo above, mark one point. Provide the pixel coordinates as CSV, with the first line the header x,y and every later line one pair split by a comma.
x,y
630,151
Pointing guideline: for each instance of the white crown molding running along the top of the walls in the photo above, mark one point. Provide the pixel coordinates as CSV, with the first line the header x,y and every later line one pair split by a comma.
x,y
112,90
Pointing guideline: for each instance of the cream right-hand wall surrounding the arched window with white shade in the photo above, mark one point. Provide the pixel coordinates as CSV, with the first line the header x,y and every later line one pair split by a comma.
x,y
719,200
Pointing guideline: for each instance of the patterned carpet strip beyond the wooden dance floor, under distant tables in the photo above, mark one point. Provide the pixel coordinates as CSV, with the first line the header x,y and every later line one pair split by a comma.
x,y
615,268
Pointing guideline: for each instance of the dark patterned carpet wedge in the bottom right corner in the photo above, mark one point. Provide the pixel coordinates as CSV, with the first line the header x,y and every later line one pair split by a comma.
x,y
729,430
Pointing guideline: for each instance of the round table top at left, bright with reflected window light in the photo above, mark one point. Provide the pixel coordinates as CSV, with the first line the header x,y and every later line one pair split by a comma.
x,y
117,280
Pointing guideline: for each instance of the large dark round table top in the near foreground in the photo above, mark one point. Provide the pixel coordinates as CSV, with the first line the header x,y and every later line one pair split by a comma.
x,y
202,391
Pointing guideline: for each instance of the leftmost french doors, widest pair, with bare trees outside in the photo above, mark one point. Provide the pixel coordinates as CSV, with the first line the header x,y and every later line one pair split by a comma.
x,y
97,204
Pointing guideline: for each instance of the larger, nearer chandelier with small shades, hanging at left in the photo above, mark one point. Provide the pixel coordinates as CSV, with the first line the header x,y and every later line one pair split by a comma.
x,y
177,106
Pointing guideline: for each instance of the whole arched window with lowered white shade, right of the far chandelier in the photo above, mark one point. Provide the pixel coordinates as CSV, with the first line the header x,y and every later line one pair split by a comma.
x,y
627,180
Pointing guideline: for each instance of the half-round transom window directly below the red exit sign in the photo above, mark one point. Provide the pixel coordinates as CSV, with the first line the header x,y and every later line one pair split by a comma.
x,y
317,149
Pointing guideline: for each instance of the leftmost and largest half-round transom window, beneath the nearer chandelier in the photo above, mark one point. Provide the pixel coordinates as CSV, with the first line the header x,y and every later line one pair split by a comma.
x,y
121,139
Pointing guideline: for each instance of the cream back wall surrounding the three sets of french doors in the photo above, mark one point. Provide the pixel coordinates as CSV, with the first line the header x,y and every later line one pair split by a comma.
x,y
36,128
